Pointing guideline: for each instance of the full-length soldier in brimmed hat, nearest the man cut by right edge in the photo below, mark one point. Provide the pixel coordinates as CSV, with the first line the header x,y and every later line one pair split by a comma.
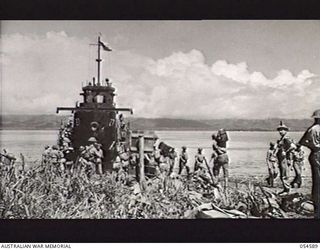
x,y
285,146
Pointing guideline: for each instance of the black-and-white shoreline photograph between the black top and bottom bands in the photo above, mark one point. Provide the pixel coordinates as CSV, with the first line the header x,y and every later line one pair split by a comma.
x,y
197,119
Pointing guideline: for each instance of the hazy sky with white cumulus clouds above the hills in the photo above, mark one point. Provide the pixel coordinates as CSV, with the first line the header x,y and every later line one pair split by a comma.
x,y
191,69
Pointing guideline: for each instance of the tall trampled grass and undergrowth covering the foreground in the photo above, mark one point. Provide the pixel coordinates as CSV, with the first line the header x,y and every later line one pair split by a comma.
x,y
44,192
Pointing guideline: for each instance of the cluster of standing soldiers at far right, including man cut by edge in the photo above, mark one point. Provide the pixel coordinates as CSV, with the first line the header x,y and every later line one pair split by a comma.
x,y
286,153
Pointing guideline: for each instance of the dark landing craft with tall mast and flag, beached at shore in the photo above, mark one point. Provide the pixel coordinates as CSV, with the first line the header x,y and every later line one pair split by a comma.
x,y
98,116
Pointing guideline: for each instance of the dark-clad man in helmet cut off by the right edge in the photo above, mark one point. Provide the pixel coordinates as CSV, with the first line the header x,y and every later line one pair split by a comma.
x,y
311,140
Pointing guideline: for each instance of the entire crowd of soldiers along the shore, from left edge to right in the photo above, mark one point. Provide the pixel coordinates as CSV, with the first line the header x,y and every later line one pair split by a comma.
x,y
281,157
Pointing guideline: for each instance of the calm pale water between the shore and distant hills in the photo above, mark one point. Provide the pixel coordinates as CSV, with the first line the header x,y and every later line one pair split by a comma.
x,y
247,150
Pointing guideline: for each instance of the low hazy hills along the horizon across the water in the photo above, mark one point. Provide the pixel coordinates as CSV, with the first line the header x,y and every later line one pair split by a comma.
x,y
49,122
